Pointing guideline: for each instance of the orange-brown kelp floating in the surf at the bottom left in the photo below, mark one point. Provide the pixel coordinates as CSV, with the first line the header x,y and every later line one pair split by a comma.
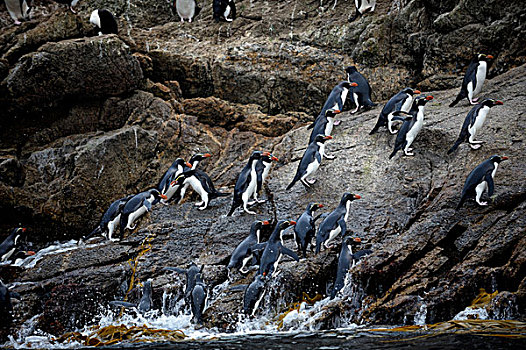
x,y
115,334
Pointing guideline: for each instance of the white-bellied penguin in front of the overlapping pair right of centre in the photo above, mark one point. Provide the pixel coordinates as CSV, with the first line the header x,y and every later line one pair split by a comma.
x,y
411,127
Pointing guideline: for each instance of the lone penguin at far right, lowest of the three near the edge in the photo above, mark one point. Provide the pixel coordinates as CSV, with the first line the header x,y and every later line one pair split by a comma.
x,y
480,179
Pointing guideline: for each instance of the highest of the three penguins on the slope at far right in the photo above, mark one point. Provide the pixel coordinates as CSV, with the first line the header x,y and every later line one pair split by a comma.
x,y
473,79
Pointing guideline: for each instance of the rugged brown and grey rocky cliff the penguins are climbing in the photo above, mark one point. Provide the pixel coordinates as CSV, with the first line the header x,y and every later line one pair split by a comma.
x,y
85,120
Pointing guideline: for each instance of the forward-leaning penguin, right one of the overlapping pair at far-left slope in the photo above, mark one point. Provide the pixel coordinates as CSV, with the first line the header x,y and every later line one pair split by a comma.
x,y
137,206
